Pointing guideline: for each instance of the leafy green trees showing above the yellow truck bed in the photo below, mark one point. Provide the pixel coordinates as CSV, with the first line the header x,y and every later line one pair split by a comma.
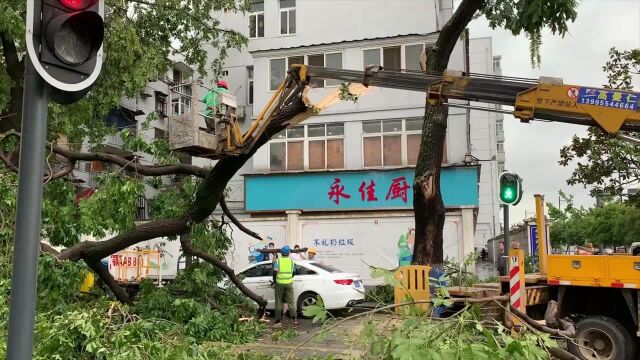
x,y
613,224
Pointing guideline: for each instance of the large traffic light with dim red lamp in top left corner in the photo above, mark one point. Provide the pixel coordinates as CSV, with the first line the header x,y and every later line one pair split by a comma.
x,y
64,42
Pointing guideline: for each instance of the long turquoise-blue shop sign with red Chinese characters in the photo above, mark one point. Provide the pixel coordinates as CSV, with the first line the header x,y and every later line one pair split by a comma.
x,y
354,190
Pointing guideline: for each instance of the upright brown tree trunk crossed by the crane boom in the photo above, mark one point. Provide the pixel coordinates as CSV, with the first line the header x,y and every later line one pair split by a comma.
x,y
427,199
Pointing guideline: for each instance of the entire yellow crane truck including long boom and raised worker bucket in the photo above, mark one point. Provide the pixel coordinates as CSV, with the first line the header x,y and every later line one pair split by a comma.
x,y
600,293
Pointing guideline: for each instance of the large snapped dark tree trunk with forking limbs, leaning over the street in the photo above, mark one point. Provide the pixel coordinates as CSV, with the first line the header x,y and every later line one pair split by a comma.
x,y
207,197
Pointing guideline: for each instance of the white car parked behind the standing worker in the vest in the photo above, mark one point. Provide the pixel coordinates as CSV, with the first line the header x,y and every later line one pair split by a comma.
x,y
312,279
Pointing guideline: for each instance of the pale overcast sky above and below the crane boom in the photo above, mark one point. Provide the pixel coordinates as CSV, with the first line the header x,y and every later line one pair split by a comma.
x,y
532,150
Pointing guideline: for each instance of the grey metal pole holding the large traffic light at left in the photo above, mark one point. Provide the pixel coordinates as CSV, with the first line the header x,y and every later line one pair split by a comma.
x,y
22,308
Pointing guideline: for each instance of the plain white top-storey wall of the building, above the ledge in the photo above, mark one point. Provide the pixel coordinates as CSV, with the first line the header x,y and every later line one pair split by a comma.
x,y
348,20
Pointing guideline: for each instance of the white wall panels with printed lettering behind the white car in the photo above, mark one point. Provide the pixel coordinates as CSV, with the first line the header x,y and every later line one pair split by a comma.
x,y
374,240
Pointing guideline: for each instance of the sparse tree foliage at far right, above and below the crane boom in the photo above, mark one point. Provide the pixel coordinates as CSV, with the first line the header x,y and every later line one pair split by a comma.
x,y
602,163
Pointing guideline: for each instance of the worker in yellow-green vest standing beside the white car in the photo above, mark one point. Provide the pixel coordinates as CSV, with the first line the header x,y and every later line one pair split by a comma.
x,y
283,272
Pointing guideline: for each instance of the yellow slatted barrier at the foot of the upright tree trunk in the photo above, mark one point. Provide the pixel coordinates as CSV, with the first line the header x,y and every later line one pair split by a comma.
x,y
413,286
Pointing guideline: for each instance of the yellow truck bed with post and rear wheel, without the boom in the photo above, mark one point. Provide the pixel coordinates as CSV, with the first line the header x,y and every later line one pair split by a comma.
x,y
600,293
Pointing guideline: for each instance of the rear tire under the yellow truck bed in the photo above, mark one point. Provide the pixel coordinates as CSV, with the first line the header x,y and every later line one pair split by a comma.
x,y
604,336
